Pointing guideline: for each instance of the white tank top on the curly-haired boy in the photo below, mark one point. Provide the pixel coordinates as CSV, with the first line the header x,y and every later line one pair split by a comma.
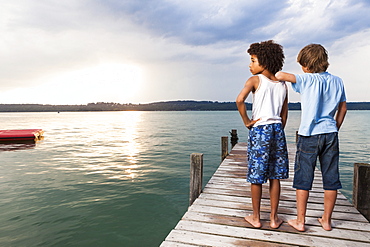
x,y
268,101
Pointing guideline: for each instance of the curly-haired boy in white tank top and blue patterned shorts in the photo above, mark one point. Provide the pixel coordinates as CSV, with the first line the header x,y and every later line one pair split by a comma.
x,y
267,150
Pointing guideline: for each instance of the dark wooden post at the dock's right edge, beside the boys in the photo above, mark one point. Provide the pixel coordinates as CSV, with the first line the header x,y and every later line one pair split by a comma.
x,y
361,189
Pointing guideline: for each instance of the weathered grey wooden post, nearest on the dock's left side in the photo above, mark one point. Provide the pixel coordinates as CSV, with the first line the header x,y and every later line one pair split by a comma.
x,y
196,176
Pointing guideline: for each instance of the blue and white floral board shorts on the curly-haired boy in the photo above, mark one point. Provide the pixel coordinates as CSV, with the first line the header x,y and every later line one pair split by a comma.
x,y
267,154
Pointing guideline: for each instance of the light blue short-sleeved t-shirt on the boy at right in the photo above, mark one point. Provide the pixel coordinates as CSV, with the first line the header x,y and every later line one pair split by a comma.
x,y
321,94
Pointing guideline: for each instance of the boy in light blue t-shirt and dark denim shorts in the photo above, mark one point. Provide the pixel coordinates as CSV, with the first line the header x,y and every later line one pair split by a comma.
x,y
323,96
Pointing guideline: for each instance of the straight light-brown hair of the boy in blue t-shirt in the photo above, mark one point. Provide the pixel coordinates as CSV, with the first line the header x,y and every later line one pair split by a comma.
x,y
314,57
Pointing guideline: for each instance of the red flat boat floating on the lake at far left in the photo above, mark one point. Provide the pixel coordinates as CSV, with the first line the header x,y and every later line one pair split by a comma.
x,y
21,135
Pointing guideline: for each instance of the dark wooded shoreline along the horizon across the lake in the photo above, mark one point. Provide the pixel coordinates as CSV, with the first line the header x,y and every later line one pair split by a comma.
x,y
180,105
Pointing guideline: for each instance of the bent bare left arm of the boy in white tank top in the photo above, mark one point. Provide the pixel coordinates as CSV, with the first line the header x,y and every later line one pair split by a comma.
x,y
250,86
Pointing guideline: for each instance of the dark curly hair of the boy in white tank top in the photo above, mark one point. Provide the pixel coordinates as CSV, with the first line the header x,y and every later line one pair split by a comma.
x,y
270,55
